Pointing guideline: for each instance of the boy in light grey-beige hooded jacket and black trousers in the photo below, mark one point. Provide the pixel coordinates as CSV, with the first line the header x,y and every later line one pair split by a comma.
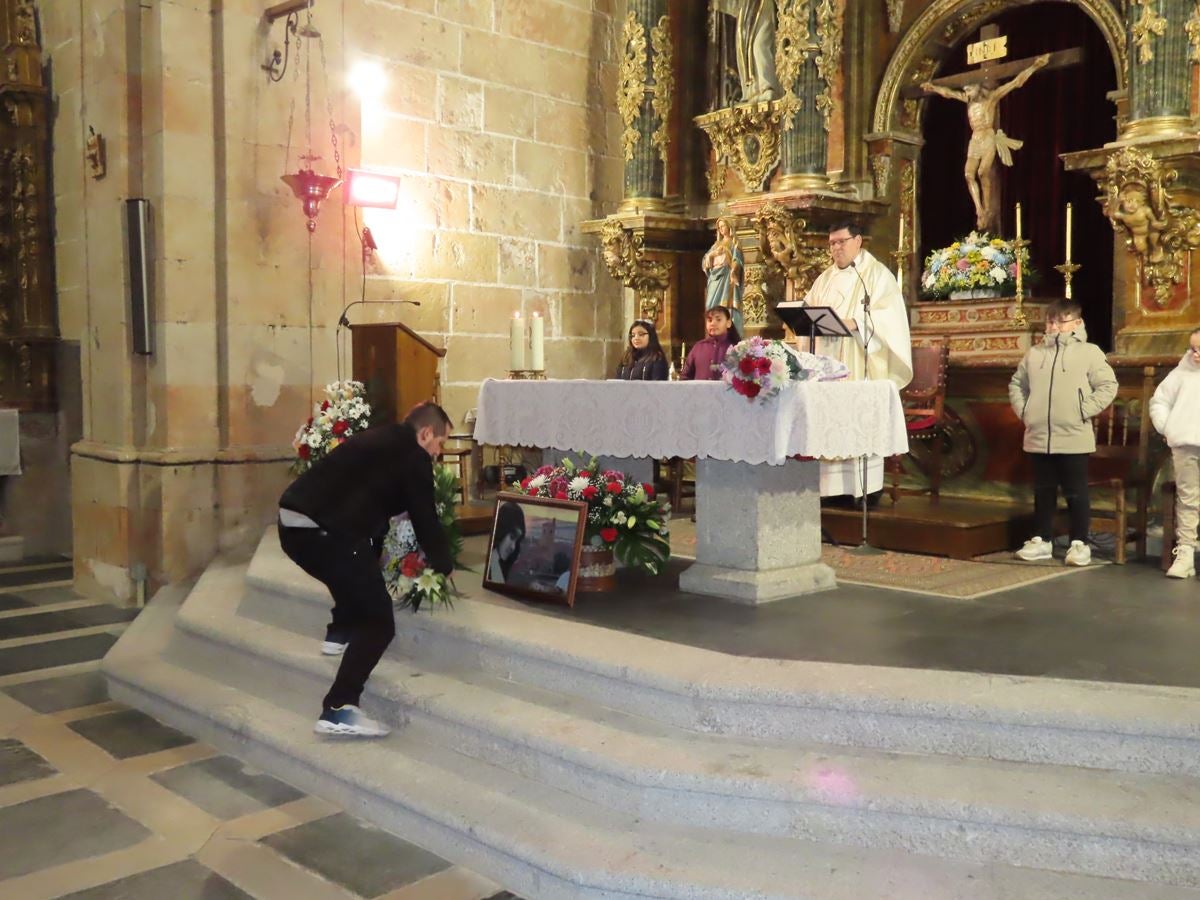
x,y
1061,386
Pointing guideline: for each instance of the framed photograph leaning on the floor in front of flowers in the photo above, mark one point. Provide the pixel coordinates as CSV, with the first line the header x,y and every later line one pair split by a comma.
x,y
535,549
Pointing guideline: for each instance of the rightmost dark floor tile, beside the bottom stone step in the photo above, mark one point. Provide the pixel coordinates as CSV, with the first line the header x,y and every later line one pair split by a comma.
x,y
356,856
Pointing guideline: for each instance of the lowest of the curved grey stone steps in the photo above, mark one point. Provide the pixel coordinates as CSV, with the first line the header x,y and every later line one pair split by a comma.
x,y
535,839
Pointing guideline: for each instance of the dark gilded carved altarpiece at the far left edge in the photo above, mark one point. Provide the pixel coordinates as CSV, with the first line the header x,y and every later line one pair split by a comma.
x,y
28,321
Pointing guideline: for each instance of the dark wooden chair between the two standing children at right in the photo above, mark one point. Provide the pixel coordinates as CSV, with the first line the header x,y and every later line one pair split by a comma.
x,y
1124,437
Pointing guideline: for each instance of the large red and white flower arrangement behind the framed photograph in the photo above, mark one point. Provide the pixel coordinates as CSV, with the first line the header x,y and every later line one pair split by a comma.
x,y
623,514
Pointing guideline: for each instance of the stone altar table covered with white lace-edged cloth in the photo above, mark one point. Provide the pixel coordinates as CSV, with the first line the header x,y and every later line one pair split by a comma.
x,y
758,508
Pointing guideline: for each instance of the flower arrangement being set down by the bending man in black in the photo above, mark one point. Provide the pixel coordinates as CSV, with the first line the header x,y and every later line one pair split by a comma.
x,y
406,573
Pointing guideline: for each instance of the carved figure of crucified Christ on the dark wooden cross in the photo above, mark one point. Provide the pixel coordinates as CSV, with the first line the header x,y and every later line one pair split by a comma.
x,y
987,141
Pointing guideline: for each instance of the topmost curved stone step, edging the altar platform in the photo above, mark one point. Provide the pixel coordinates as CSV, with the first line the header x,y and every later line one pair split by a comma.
x,y
1137,729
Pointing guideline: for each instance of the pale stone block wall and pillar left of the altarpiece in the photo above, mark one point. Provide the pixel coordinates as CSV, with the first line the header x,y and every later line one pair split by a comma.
x,y
497,116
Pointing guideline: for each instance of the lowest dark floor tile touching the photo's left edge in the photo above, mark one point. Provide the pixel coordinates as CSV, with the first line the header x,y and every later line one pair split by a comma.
x,y
62,829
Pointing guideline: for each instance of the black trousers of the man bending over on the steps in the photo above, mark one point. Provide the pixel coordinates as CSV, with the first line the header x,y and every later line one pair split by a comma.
x,y
363,611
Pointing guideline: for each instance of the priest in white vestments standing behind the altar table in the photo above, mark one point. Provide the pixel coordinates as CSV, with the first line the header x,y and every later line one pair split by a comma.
x,y
854,277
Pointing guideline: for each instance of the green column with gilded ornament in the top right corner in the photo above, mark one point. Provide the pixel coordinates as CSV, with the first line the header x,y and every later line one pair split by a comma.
x,y
1160,65
